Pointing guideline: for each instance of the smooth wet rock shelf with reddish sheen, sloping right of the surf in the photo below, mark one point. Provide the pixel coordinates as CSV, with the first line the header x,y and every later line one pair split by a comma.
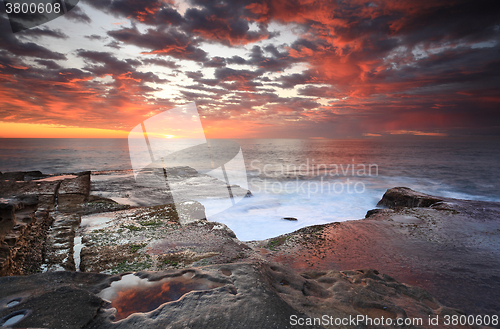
x,y
451,248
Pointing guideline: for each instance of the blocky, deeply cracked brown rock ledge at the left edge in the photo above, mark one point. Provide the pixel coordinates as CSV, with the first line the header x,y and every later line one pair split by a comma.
x,y
38,220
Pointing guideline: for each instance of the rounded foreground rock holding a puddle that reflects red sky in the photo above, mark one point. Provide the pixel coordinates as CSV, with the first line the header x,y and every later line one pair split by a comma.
x,y
244,295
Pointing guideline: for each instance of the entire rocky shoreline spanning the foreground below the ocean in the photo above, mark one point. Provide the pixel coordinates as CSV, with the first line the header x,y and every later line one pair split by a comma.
x,y
408,259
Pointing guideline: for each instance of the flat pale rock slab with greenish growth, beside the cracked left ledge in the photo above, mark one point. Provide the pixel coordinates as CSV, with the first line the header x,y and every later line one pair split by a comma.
x,y
159,238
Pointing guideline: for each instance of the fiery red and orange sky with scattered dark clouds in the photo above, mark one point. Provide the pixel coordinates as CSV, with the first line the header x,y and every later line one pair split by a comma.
x,y
256,68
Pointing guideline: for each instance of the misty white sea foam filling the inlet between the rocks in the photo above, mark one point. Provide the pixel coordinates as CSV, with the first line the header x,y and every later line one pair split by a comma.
x,y
261,216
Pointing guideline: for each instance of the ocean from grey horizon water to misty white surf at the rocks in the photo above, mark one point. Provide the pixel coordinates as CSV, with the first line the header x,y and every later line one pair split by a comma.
x,y
315,181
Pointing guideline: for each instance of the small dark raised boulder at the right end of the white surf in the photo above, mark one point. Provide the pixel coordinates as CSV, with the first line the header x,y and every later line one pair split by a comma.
x,y
405,197
